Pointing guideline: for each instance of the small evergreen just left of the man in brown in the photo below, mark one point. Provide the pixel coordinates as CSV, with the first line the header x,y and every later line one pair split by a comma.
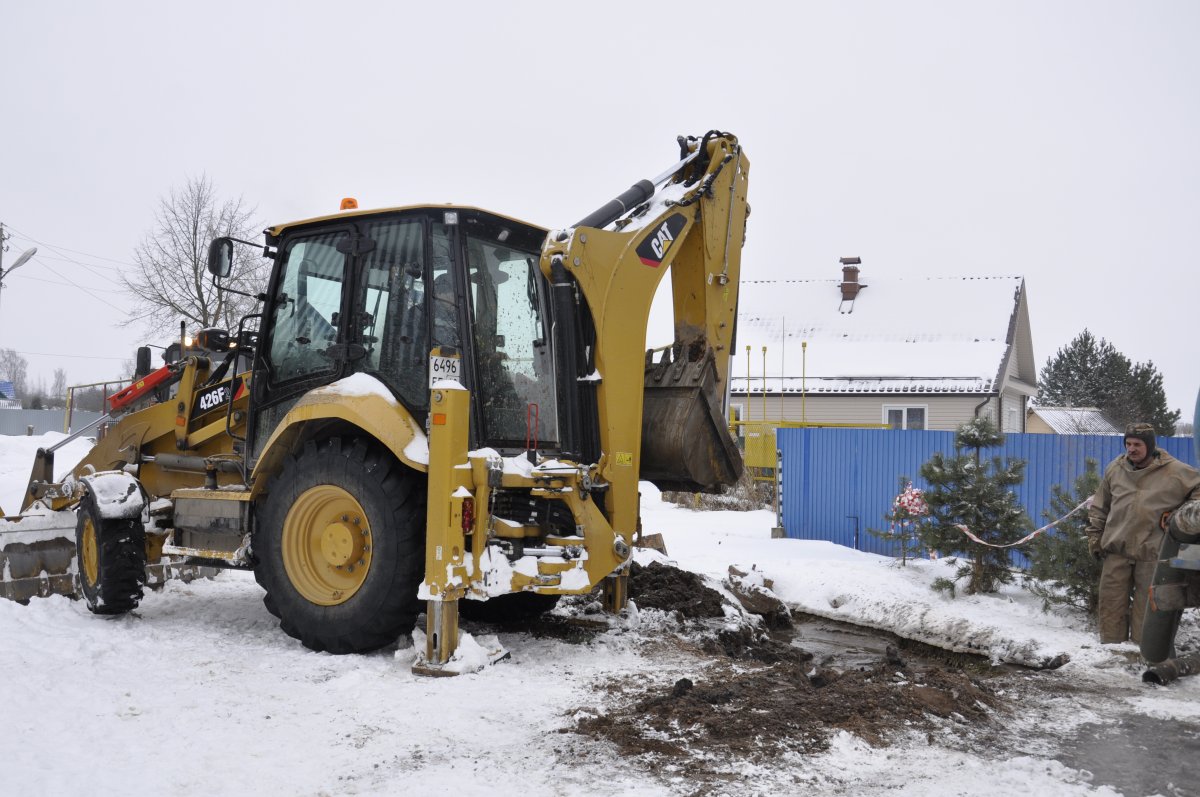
x,y
1063,571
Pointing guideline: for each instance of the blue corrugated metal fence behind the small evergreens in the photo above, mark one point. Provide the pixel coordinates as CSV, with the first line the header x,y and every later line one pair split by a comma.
x,y
837,483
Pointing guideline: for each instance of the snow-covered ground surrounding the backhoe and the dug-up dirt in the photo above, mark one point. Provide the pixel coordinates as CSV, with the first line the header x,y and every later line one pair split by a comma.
x,y
199,692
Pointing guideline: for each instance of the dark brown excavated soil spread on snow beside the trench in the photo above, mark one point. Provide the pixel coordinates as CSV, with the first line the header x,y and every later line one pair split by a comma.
x,y
754,697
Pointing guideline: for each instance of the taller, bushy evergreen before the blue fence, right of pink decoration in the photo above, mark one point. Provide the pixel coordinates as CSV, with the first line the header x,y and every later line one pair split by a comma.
x,y
967,490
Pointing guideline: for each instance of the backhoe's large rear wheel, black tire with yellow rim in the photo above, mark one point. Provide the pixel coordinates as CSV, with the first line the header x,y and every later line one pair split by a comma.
x,y
339,547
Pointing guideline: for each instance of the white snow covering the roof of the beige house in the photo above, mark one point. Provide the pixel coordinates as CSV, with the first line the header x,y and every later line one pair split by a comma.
x,y
899,335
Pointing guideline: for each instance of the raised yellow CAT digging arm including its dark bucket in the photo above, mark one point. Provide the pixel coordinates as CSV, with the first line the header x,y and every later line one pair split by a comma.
x,y
604,274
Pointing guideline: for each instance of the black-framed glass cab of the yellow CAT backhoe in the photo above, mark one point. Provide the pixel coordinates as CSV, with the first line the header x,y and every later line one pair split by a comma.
x,y
376,292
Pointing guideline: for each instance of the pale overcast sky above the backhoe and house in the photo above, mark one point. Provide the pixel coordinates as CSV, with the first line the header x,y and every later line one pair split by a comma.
x,y
1054,141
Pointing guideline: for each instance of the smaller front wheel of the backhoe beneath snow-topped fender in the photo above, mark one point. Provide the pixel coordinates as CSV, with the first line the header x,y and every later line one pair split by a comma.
x,y
112,558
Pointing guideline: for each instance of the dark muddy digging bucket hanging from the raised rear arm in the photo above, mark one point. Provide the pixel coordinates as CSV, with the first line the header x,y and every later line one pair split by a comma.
x,y
686,441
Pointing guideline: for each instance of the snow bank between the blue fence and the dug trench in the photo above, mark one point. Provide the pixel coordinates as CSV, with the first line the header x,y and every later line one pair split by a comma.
x,y
841,584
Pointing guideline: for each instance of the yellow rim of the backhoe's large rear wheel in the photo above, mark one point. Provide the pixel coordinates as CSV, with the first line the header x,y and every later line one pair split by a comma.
x,y
327,546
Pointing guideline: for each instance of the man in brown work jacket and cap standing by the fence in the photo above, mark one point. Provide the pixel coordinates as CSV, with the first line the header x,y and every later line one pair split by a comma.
x,y
1125,528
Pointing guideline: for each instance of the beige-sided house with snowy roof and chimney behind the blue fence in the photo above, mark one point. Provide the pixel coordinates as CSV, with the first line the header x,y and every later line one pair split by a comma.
x,y
901,352
